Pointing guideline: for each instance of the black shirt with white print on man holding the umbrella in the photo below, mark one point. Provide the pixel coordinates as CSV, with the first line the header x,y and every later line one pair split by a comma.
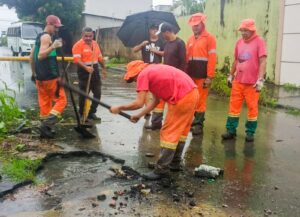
x,y
149,57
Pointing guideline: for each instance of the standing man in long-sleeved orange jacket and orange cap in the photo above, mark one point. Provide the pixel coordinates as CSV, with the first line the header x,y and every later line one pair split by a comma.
x,y
201,58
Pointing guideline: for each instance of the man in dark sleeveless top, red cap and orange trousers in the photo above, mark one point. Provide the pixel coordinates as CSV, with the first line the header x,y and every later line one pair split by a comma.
x,y
45,73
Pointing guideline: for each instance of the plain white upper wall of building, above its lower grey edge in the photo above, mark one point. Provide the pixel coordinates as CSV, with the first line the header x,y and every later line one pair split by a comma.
x,y
116,8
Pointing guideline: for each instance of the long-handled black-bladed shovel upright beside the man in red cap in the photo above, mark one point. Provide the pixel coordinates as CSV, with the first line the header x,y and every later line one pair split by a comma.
x,y
81,129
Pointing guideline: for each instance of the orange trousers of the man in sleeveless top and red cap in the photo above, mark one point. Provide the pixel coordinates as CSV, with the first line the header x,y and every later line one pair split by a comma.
x,y
46,96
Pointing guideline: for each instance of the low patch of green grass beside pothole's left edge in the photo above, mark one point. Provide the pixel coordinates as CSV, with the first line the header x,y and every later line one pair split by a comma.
x,y
20,169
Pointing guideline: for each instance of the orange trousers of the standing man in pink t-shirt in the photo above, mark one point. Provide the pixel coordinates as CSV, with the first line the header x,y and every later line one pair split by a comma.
x,y
239,93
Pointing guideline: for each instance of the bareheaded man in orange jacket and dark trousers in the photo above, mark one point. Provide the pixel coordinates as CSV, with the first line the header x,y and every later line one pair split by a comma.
x,y
87,55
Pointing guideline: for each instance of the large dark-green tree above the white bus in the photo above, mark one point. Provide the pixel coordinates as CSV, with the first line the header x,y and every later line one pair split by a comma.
x,y
69,11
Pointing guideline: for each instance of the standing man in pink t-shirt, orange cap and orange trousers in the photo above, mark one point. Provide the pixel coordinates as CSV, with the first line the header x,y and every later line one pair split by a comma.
x,y
247,79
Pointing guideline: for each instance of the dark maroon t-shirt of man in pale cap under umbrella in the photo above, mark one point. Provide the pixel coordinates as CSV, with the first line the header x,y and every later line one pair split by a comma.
x,y
175,54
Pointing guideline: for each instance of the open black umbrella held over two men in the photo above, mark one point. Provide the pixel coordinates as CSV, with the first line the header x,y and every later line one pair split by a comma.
x,y
135,27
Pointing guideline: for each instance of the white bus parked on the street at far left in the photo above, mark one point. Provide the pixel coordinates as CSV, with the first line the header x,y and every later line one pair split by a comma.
x,y
21,37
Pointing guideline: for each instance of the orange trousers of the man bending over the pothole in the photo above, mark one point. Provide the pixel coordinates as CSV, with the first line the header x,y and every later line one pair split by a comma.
x,y
178,121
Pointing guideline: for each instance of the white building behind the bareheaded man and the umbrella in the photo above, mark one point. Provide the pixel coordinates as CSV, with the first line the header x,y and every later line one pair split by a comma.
x,y
111,13
